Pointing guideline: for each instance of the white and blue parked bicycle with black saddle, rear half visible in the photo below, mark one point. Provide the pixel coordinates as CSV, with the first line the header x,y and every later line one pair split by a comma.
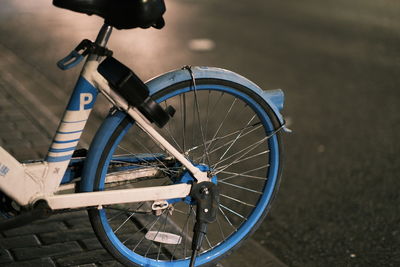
x,y
185,193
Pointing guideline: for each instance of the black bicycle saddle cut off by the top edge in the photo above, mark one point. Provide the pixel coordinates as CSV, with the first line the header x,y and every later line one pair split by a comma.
x,y
121,14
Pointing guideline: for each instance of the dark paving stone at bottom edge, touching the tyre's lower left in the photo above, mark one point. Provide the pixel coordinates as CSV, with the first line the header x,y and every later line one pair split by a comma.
x,y
84,258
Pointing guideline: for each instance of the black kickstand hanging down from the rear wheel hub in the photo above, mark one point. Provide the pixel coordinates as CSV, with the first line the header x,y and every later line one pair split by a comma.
x,y
207,198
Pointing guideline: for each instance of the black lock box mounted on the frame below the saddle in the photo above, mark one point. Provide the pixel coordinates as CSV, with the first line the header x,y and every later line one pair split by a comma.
x,y
134,90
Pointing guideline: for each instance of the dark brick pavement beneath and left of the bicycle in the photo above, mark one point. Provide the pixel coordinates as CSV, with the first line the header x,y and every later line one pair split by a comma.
x,y
63,239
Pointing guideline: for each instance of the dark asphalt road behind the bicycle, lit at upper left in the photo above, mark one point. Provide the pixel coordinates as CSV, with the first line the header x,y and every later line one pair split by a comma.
x,y
338,63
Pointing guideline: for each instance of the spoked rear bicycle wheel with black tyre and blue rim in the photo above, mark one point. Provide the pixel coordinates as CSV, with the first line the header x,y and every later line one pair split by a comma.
x,y
223,128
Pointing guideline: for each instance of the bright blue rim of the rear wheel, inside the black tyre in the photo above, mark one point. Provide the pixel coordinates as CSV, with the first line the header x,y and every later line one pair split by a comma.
x,y
246,227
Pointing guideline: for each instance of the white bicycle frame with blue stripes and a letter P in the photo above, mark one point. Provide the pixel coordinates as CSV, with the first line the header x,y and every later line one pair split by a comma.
x,y
29,182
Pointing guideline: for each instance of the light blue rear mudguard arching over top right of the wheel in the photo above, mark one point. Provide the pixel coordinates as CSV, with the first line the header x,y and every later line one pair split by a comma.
x,y
274,98
